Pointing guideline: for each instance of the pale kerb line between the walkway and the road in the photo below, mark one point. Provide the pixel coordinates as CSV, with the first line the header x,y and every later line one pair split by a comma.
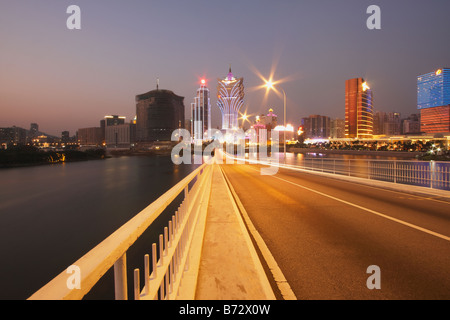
x,y
280,279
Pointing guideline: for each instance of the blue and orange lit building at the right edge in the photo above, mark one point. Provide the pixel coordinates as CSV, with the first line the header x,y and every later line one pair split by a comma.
x,y
433,101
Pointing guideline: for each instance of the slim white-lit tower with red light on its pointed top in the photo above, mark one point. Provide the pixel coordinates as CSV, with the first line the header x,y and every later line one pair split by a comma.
x,y
201,114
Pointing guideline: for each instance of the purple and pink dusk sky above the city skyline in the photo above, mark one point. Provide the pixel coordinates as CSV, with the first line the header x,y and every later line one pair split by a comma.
x,y
68,79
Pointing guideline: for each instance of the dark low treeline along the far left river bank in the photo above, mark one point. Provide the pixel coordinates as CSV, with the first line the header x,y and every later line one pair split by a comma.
x,y
28,155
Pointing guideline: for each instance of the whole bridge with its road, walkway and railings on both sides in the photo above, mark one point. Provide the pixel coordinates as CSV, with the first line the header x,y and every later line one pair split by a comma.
x,y
311,231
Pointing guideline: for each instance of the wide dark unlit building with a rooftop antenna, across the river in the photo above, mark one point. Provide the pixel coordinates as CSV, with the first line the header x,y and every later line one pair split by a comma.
x,y
158,113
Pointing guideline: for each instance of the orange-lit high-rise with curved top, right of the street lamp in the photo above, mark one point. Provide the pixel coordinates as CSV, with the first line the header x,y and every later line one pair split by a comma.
x,y
358,109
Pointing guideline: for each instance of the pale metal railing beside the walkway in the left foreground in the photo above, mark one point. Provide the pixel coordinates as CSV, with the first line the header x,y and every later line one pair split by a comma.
x,y
169,259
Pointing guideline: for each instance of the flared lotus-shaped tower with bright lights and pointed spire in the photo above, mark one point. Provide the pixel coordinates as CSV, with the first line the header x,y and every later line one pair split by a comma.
x,y
230,99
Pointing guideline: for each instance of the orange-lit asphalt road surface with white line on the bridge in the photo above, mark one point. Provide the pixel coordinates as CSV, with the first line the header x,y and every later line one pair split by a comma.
x,y
324,233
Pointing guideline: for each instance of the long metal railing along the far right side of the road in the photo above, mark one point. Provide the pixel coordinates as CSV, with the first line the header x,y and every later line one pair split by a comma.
x,y
432,174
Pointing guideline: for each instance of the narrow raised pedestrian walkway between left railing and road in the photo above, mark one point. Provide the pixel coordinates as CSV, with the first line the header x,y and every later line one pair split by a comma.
x,y
229,266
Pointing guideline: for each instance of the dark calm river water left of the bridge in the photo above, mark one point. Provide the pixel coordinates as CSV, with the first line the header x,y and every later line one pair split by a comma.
x,y
52,215
